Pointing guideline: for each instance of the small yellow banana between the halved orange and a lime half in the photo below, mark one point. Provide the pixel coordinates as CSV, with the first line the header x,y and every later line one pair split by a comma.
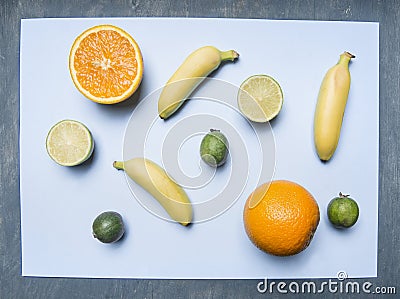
x,y
196,67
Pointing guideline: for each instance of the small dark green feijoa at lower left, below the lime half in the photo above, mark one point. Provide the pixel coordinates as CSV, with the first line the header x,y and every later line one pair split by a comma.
x,y
108,227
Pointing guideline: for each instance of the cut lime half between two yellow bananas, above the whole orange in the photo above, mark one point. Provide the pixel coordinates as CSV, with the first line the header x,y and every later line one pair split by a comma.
x,y
260,98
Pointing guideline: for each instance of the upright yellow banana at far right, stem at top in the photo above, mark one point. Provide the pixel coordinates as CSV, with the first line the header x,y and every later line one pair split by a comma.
x,y
330,107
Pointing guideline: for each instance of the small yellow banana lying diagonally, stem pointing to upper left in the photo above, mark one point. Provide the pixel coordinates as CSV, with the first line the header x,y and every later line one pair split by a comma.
x,y
156,181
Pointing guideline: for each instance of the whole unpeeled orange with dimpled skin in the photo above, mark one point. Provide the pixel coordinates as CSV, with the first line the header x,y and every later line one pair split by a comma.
x,y
280,217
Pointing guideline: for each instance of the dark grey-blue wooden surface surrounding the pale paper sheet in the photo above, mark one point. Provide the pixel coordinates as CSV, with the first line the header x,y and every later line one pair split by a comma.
x,y
13,285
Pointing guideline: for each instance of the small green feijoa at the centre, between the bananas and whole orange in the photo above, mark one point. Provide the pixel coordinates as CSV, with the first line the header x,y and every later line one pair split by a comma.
x,y
214,148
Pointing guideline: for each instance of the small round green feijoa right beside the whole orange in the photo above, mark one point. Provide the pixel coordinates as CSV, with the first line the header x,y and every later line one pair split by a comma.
x,y
343,211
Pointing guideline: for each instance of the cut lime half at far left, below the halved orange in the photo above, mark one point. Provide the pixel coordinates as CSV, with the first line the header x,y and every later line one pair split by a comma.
x,y
69,143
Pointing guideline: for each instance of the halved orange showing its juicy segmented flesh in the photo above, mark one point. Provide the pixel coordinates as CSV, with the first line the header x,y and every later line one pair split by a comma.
x,y
106,64
